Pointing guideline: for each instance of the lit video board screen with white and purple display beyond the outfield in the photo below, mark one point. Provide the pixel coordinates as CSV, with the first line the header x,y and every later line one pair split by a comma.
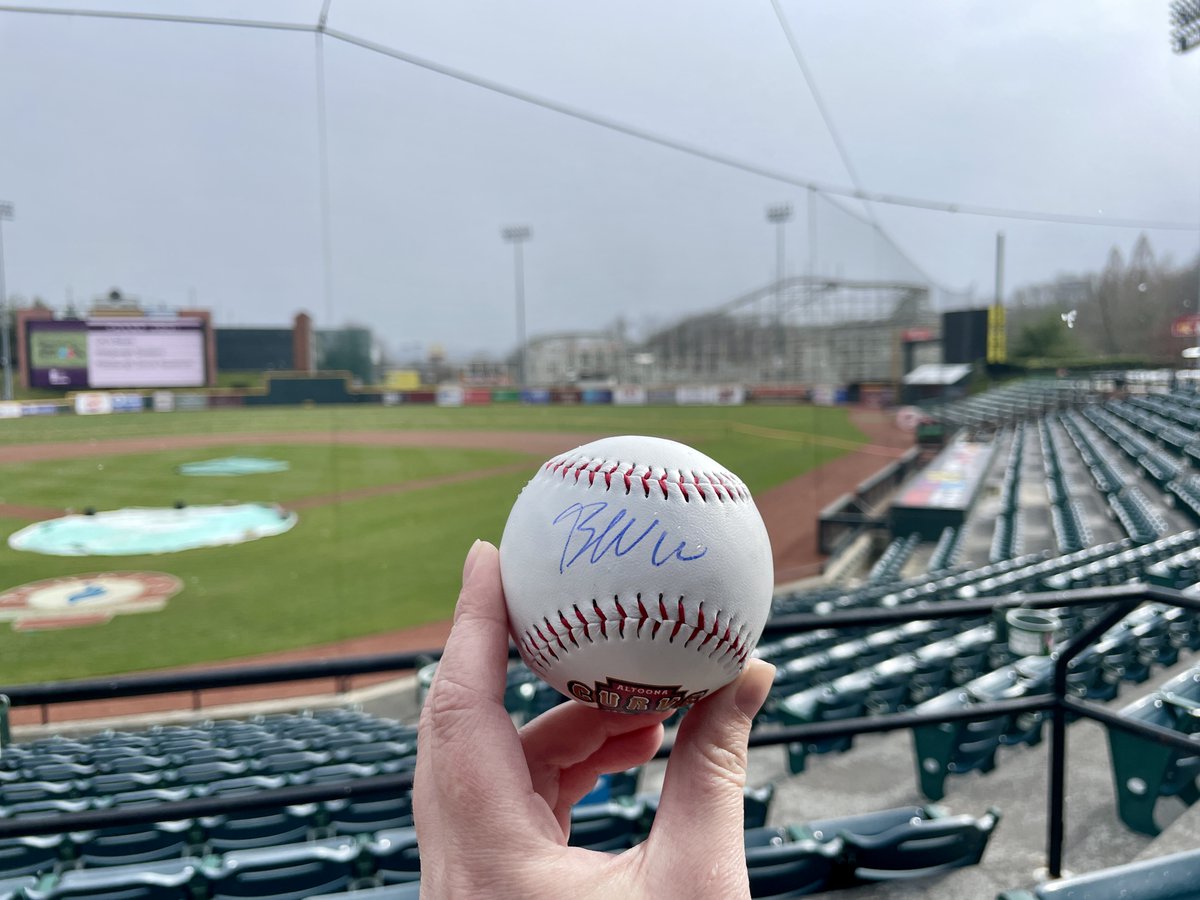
x,y
117,353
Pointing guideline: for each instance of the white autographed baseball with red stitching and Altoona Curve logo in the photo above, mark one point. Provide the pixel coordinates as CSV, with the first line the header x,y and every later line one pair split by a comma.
x,y
638,574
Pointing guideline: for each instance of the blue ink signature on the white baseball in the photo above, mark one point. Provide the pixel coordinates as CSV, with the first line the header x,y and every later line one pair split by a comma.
x,y
593,536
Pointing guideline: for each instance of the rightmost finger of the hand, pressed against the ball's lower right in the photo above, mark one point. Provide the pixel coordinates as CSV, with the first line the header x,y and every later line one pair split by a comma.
x,y
701,811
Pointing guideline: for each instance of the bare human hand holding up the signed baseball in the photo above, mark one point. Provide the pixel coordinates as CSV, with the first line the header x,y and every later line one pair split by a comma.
x,y
493,806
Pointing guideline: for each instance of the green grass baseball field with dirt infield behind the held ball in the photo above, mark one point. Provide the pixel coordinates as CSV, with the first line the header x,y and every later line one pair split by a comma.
x,y
389,500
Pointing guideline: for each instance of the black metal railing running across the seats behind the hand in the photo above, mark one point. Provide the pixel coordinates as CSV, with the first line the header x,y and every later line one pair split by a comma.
x,y
1121,599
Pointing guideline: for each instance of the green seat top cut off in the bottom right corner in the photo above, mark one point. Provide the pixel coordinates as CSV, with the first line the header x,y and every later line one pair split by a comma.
x,y
1169,878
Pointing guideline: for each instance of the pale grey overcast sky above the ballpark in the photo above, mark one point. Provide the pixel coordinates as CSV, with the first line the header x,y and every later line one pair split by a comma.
x,y
182,161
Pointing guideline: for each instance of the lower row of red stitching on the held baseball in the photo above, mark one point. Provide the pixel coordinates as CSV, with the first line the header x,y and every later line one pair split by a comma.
x,y
539,650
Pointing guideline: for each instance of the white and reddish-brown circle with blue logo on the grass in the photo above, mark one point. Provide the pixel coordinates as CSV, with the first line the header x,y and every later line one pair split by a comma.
x,y
79,601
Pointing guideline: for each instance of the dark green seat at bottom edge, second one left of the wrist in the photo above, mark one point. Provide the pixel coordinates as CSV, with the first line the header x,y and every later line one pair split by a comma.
x,y
292,872
